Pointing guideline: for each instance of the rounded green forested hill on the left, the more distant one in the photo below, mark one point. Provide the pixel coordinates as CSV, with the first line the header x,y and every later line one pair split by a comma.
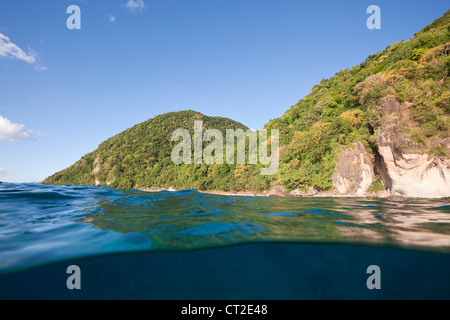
x,y
140,157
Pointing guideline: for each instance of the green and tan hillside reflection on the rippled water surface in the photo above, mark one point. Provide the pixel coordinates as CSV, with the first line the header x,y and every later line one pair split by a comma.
x,y
189,219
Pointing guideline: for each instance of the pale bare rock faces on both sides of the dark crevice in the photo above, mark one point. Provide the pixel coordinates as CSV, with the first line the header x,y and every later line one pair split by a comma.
x,y
407,175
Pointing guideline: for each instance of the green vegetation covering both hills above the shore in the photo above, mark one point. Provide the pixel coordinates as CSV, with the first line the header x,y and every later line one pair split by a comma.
x,y
402,93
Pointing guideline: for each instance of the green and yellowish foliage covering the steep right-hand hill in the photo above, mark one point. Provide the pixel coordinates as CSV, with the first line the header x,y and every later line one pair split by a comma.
x,y
402,92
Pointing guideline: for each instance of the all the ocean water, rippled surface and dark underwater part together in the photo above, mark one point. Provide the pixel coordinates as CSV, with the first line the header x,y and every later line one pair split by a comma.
x,y
189,245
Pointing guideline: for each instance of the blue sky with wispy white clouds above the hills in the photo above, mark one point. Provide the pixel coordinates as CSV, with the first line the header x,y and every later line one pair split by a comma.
x,y
64,91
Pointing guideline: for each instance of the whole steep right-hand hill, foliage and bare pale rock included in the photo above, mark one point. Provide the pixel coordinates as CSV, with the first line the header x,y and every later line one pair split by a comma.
x,y
380,128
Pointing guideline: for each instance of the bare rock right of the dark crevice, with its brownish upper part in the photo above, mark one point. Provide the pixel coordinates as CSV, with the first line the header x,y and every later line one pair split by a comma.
x,y
412,174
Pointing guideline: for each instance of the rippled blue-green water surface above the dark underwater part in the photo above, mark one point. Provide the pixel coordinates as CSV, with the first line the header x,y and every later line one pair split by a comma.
x,y
42,224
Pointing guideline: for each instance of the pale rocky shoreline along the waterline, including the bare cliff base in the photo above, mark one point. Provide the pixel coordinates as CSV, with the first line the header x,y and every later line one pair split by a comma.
x,y
402,175
